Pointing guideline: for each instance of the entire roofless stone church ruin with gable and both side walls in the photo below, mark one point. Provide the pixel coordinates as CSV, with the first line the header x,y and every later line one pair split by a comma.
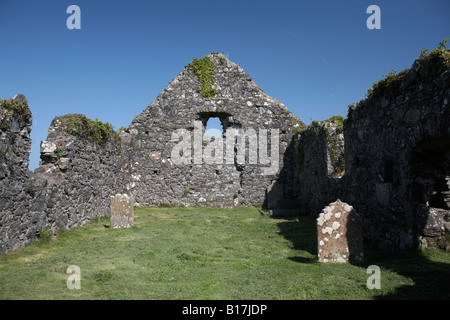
x,y
389,159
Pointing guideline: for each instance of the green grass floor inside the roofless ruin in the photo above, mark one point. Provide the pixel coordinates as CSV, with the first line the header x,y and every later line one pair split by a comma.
x,y
209,253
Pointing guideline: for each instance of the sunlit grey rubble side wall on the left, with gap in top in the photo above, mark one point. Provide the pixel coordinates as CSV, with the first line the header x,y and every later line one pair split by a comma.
x,y
71,186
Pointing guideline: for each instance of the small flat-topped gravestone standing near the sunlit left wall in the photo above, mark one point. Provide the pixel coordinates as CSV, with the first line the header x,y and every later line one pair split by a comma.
x,y
121,211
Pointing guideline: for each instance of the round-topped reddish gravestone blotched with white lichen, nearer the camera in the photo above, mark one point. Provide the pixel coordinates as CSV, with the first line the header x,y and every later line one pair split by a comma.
x,y
339,234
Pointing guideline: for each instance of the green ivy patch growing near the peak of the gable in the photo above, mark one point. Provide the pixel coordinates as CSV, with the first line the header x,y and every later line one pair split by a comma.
x,y
204,71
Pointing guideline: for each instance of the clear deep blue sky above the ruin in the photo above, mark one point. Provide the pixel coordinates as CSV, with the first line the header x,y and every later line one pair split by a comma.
x,y
315,56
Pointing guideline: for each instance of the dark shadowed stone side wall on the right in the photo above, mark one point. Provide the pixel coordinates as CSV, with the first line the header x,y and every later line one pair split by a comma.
x,y
397,160
